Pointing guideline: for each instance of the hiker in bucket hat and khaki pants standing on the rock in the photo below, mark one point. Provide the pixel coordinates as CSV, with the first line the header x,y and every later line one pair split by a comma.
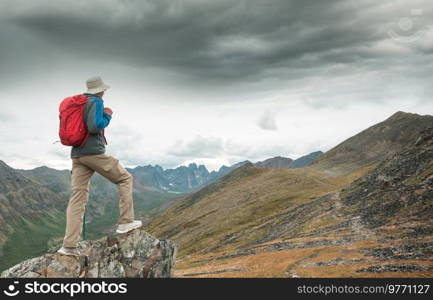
x,y
89,157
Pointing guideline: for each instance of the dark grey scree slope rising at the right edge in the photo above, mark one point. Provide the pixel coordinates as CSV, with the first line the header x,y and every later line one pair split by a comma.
x,y
398,193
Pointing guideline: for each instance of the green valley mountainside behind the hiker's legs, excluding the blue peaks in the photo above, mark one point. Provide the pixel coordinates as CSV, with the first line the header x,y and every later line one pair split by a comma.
x,y
33,205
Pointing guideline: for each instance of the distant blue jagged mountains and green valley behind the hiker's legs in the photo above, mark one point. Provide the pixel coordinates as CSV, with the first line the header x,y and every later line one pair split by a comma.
x,y
33,202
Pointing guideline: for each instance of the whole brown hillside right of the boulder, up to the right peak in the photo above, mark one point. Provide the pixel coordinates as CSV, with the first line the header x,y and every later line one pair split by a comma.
x,y
374,221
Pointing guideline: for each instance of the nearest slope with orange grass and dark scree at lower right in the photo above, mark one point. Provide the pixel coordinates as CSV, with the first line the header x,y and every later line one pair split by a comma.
x,y
378,226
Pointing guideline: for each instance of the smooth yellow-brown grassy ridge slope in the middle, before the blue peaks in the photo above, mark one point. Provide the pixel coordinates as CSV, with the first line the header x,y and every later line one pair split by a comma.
x,y
240,208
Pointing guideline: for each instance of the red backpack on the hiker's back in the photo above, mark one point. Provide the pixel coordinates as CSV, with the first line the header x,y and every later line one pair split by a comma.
x,y
73,130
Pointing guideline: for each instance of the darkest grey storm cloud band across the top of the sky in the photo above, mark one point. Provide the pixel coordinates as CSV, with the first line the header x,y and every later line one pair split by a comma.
x,y
224,40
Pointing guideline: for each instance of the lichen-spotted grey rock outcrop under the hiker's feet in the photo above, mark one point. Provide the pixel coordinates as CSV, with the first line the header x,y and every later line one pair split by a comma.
x,y
136,254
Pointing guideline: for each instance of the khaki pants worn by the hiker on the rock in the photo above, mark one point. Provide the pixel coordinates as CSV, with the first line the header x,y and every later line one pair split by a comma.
x,y
82,170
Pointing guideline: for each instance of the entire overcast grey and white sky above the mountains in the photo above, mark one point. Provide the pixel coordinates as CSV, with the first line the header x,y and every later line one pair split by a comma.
x,y
211,82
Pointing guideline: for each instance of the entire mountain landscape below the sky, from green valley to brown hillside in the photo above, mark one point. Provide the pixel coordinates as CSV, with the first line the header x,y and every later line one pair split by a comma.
x,y
362,209
